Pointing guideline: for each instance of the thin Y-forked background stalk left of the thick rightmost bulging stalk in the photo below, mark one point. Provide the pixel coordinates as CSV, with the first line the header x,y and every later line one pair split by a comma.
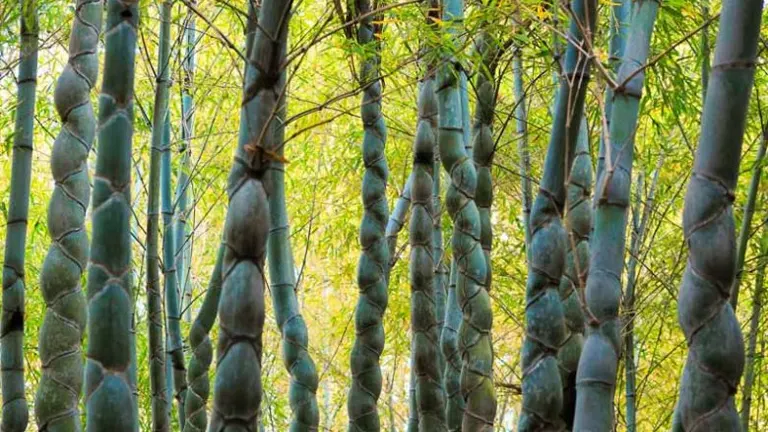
x,y
639,227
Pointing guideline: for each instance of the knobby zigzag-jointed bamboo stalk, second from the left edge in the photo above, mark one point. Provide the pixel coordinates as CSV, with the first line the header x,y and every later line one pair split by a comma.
x,y
57,399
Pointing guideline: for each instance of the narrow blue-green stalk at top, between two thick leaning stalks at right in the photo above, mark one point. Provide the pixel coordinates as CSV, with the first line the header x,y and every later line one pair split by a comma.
x,y
620,15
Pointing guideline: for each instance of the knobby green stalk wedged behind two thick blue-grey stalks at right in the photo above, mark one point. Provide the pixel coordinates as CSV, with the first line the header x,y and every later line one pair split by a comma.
x,y
578,222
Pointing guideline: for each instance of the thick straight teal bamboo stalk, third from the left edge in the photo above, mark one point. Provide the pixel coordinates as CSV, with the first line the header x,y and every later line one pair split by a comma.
x,y
109,371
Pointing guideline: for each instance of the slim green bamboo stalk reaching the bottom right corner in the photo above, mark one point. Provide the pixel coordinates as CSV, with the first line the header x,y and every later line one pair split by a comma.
x,y
754,327
